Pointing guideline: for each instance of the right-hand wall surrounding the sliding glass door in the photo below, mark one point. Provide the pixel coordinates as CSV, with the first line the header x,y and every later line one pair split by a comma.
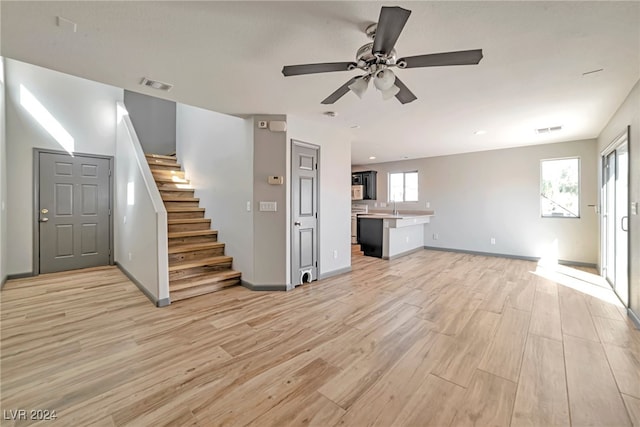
x,y
628,115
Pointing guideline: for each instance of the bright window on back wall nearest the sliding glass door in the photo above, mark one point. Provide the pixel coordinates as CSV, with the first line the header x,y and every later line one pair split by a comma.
x,y
560,188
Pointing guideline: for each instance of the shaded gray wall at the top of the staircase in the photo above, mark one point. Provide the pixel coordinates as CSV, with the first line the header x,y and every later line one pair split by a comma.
x,y
154,120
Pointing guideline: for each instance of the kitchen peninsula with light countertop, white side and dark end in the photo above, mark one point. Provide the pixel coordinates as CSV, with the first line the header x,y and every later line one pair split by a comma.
x,y
389,236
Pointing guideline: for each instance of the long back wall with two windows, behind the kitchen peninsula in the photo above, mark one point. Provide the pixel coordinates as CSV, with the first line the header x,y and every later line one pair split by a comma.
x,y
481,195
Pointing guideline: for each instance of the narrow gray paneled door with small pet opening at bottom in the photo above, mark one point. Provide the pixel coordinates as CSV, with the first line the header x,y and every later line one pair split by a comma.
x,y
304,203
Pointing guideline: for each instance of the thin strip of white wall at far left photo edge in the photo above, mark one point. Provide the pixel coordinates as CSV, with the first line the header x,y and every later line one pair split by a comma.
x,y
3,180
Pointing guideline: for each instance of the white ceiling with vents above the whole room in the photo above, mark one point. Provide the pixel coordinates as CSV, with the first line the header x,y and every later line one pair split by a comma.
x,y
228,56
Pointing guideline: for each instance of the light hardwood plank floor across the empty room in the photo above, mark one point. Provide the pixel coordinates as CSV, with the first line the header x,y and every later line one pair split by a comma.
x,y
433,338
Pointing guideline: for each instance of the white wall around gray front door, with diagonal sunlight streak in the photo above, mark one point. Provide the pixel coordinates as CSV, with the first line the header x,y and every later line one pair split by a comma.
x,y
85,109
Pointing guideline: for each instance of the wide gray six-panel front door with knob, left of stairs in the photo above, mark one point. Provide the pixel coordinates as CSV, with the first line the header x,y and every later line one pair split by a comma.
x,y
74,208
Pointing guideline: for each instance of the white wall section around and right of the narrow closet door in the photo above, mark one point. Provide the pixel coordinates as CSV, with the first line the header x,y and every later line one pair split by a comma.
x,y
335,190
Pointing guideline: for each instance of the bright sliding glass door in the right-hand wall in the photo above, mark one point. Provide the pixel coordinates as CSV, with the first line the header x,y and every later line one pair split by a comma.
x,y
615,216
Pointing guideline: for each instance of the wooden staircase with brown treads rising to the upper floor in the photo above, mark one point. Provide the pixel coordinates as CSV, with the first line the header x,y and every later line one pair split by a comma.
x,y
197,263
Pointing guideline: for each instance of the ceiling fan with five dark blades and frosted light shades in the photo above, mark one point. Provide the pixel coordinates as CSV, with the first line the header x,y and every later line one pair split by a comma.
x,y
378,57
